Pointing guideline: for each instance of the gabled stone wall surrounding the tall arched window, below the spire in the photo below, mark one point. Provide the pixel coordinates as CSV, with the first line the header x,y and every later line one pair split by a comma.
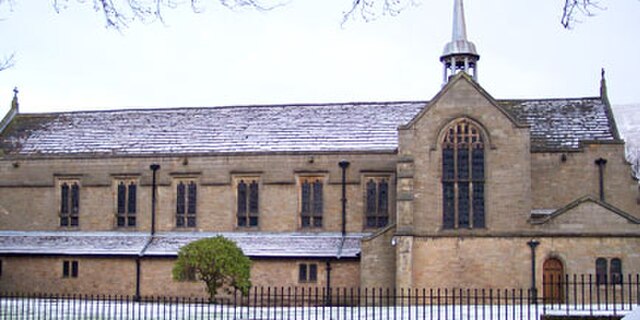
x,y
507,161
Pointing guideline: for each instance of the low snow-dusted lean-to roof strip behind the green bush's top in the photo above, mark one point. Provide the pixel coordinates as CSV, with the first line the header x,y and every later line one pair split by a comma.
x,y
259,244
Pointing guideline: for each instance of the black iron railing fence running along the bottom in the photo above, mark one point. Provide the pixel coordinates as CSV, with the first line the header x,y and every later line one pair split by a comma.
x,y
568,295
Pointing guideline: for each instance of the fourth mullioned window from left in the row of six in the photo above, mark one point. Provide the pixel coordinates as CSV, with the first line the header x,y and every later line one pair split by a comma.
x,y
247,194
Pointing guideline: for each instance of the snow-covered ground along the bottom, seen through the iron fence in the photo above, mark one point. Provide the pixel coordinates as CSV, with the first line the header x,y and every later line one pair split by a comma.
x,y
18,308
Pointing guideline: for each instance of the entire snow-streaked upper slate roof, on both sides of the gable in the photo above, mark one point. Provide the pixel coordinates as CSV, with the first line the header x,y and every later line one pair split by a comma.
x,y
556,124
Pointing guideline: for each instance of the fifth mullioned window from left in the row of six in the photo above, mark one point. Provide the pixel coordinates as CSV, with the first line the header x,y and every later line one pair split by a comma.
x,y
311,202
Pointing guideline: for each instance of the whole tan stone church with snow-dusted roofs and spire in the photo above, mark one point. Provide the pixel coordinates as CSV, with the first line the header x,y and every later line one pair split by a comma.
x,y
420,194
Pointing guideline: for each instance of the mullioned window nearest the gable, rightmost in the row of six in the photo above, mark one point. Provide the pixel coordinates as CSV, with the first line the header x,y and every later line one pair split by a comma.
x,y
376,202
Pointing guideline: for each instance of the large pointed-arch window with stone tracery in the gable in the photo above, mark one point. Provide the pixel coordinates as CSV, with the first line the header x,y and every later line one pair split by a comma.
x,y
463,176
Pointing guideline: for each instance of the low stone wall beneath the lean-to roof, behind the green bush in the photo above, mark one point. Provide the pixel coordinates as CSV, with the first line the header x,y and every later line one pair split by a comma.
x,y
117,276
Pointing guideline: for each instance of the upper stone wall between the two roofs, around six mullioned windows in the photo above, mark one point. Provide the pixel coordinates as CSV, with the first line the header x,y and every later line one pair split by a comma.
x,y
29,199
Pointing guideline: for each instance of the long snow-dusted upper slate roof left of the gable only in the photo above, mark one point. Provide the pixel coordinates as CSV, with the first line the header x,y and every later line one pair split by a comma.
x,y
328,127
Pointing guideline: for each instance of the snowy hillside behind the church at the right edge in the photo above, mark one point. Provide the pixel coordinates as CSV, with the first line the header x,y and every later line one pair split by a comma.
x,y
628,121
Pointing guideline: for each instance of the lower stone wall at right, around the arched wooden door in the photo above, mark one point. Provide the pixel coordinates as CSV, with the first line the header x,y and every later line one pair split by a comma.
x,y
505,262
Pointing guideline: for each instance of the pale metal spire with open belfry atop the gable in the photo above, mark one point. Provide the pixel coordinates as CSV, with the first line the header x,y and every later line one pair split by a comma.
x,y
459,54
